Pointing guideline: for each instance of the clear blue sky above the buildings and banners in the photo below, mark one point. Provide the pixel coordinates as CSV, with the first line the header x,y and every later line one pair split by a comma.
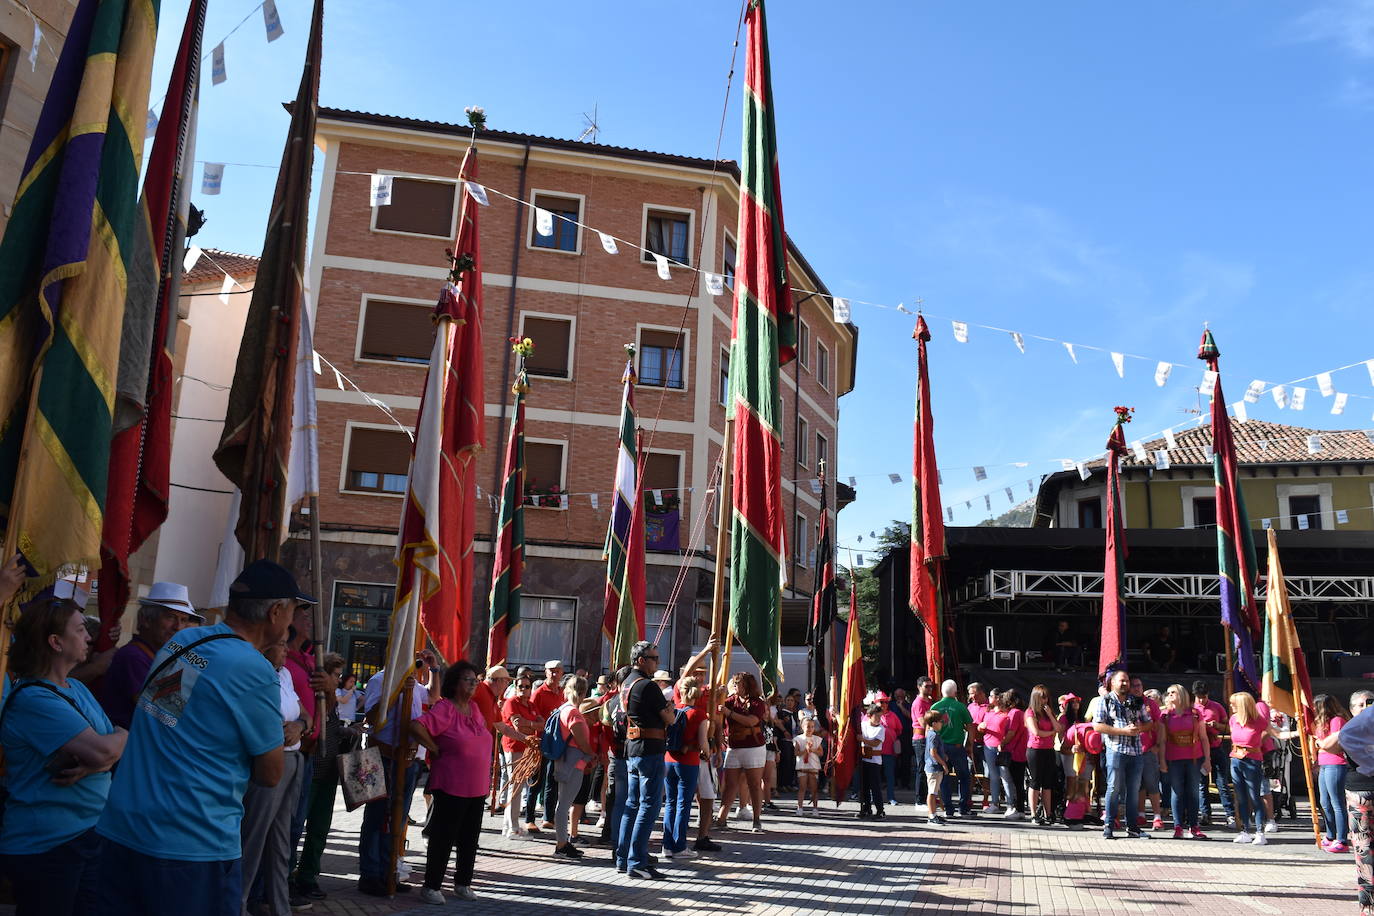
x,y
1112,175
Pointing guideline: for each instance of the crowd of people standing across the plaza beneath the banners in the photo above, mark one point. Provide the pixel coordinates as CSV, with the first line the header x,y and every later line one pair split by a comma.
x,y
196,757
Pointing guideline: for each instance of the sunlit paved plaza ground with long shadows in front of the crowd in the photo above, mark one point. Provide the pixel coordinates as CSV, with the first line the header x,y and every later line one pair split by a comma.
x,y
835,865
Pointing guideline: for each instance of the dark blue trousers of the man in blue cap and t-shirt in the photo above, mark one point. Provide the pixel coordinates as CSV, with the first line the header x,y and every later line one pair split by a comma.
x,y
138,885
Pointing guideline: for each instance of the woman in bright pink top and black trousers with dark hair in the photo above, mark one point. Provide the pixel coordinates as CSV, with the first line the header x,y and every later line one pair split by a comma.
x,y
454,733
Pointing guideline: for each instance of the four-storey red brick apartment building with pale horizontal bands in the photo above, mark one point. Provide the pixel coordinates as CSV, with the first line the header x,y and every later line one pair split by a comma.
x,y
379,271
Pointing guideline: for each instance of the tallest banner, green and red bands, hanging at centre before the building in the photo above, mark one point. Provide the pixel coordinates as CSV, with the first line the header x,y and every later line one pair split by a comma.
x,y
763,340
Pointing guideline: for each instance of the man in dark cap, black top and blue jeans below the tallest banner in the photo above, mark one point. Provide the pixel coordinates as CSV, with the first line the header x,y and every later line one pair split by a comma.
x,y
648,715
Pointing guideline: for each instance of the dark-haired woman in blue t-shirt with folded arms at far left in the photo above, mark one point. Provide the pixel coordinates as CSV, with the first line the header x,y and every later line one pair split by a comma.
x,y
60,749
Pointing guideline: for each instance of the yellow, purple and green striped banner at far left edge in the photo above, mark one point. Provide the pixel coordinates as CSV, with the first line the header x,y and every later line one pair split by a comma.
x,y
64,282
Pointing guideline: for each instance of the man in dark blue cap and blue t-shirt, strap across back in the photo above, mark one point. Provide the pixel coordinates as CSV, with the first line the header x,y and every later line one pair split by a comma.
x,y
207,720
